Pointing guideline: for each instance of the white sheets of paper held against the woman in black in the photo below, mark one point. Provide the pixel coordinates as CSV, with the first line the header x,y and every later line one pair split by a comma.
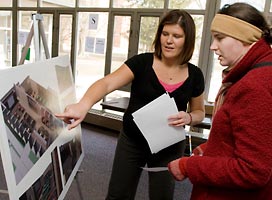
x,y
152,120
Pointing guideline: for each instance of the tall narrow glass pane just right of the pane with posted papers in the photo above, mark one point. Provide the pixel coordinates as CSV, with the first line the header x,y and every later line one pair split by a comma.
x,y
120,44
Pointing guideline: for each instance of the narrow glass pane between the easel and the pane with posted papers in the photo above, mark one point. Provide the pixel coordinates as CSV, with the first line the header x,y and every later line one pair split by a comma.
x,y
65,34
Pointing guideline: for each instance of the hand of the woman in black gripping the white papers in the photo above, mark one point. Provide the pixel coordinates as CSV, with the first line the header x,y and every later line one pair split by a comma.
x,y
180,119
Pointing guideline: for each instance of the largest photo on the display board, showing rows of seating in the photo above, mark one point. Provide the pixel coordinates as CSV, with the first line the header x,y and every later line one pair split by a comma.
x,y
30,125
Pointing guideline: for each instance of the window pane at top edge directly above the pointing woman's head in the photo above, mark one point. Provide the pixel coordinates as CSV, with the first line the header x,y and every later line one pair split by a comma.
x,y
187,4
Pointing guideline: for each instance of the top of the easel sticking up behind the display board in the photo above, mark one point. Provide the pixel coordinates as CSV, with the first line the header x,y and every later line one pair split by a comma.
x,y
36,30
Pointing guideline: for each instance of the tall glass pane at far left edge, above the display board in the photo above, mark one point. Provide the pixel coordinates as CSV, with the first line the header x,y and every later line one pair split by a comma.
x,y
5,39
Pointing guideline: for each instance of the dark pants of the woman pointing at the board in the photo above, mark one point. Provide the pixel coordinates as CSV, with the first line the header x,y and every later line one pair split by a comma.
x,y
126,170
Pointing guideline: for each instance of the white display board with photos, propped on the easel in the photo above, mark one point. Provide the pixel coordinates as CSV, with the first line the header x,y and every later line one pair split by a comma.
x,y
40,156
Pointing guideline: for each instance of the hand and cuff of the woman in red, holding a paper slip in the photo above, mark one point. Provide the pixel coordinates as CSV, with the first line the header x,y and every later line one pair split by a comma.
x,y
178,168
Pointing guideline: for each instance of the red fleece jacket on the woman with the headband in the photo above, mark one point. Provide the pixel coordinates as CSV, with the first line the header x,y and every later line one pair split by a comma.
x,y
237,161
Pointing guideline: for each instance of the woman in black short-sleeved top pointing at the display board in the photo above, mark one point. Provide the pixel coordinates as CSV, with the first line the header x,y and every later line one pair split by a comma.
x,y
151,75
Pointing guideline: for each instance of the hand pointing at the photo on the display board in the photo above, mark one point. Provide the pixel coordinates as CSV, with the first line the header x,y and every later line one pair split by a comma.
x,y
73,115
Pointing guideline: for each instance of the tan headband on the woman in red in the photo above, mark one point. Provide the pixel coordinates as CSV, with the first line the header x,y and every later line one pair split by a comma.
x,y
236,28
